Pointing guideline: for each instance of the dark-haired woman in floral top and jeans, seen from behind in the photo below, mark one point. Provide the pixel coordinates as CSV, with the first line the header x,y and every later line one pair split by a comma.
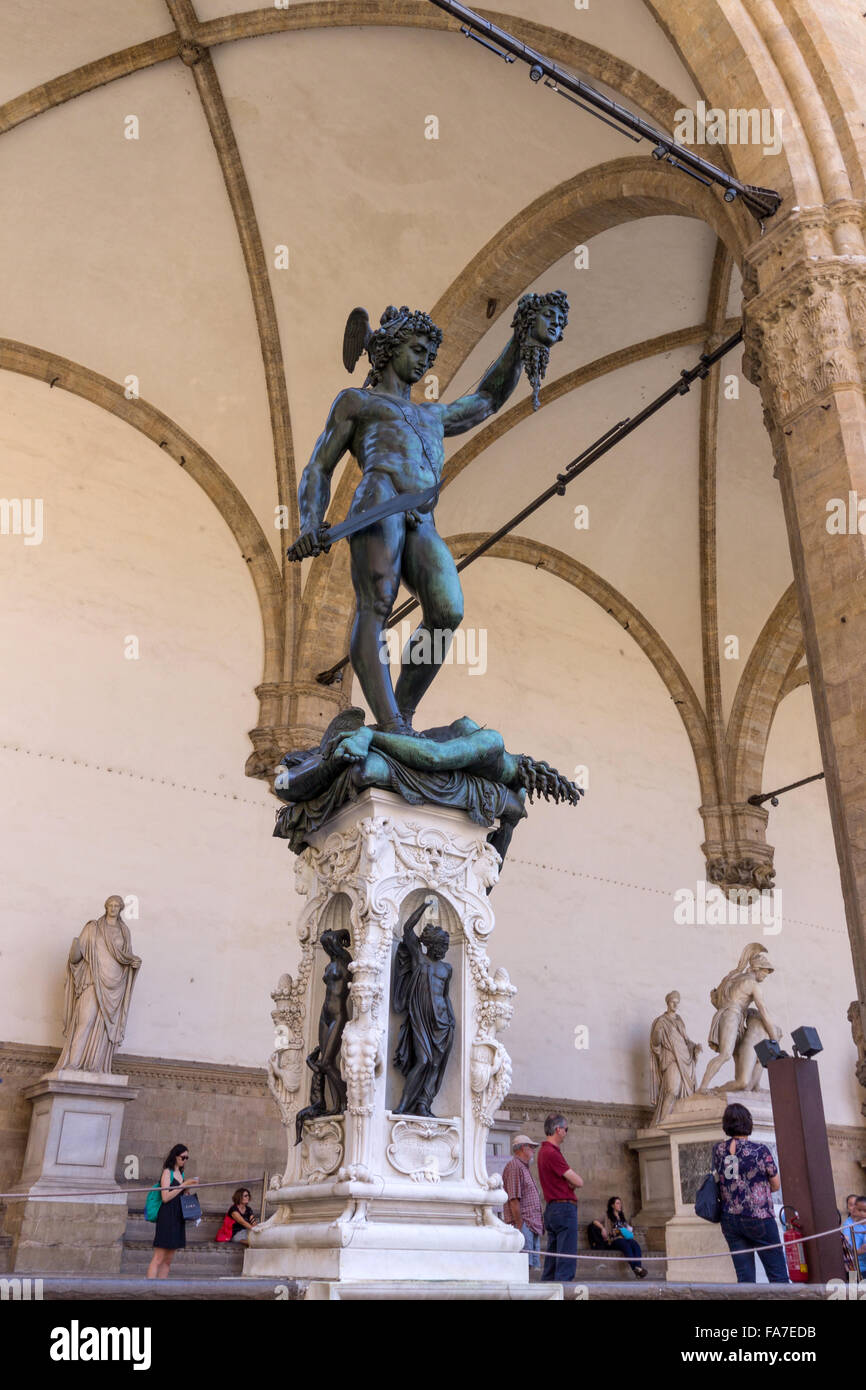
x,y
747,1177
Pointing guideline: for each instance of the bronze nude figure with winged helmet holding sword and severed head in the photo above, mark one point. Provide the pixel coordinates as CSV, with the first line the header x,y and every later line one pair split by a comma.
x,y
400,447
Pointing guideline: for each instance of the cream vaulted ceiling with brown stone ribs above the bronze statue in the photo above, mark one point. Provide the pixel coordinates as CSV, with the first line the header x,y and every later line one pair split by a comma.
x,y
201,194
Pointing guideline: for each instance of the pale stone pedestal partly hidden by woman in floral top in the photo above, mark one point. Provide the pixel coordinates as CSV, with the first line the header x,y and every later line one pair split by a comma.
x,y
675,1159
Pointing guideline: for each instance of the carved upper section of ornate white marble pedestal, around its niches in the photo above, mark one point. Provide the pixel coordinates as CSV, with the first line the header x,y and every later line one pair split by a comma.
x,y
376,862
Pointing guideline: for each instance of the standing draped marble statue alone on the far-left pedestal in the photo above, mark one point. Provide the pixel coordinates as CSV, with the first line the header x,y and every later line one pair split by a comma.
x,y
101,974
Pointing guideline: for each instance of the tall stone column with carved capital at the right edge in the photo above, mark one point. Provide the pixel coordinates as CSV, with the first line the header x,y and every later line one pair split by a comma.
x,y
806,322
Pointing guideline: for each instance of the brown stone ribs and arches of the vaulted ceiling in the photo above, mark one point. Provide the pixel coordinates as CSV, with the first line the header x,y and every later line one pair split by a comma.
x,y
824,158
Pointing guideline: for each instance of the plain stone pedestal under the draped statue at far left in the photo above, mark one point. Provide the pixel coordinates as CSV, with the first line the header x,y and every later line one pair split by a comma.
x,y
73,1147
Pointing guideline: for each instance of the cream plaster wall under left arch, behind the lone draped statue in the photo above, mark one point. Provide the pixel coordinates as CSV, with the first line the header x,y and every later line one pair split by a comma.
x,y
127,776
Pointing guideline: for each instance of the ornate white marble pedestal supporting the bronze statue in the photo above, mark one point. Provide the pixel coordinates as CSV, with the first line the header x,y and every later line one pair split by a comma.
x,y
372,1197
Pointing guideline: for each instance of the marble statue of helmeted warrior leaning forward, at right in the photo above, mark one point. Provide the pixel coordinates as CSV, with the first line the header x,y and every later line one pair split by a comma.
x,y
742,1021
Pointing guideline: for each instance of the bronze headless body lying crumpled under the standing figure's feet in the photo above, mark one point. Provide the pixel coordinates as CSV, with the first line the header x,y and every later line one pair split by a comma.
x,y
459,765
